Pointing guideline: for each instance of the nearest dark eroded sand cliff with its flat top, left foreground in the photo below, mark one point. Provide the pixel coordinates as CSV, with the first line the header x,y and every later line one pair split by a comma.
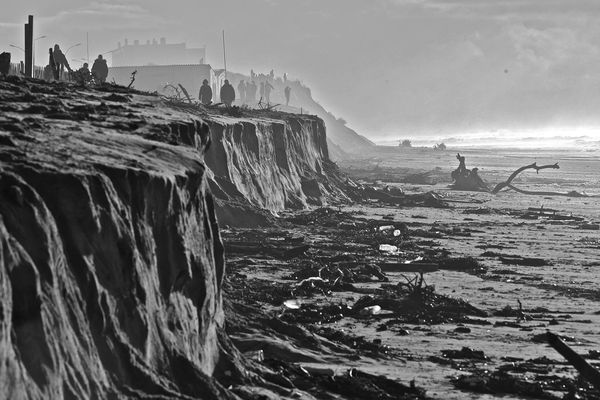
x,y
110,258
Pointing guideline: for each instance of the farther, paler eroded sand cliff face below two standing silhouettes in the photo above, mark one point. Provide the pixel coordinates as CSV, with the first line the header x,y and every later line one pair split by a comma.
x,y
270,163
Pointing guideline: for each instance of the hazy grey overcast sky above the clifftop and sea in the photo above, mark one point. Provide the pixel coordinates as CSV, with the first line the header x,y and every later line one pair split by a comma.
x,y
389,67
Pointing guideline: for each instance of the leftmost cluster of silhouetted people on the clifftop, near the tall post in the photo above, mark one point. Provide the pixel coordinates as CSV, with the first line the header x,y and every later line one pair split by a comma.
x,y
58,68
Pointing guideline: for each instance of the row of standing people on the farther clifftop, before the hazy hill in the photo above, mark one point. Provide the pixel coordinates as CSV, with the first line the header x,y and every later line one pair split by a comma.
x,y
246,92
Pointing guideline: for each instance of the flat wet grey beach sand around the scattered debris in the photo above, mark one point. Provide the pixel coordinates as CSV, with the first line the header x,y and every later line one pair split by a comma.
x,y
562,294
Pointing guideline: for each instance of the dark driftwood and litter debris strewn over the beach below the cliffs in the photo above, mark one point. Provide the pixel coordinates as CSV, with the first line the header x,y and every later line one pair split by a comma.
x,y
365,271
